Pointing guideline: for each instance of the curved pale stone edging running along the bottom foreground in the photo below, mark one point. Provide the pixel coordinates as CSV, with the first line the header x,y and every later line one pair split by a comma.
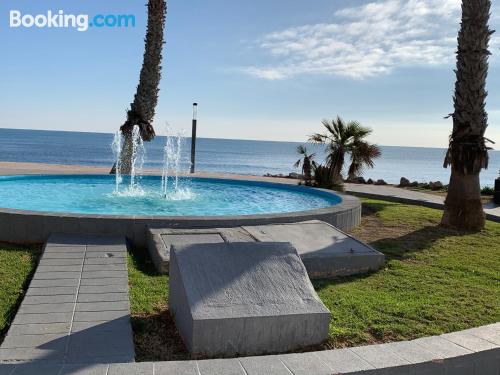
x,y
473,351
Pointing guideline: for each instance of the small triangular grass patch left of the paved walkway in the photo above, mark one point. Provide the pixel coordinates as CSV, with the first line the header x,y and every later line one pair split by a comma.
x,y
17,265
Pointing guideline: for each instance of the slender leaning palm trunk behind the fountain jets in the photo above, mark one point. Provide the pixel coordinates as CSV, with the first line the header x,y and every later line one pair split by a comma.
x,y
142,110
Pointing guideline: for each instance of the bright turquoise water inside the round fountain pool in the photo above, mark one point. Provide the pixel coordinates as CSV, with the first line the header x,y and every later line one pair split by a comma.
x,y
92,194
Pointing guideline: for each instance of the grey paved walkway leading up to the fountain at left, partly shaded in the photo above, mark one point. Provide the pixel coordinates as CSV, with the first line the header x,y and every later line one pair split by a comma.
x,y
76,309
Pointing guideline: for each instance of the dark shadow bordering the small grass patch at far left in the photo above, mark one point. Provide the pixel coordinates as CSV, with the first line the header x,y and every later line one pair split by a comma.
x,y
36,252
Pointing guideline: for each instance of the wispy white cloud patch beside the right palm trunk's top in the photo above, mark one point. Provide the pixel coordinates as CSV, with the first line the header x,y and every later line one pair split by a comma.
x,y
365,41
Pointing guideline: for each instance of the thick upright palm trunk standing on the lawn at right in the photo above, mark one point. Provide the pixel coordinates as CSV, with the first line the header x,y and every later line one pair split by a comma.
x,y
467,152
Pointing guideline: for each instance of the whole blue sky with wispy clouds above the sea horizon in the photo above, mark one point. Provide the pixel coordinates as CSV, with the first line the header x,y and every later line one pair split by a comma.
x,y
260,69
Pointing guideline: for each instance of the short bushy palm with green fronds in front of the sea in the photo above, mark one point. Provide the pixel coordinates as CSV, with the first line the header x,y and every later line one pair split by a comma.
x,y
344,139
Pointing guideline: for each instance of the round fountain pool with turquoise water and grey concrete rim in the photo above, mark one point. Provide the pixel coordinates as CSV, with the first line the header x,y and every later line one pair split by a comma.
x,y
33,207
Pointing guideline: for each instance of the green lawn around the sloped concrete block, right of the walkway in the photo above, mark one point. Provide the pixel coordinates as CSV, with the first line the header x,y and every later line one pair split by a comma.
x,y
435,280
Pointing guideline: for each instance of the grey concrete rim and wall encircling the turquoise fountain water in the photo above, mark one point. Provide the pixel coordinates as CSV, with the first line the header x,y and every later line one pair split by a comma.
x,y
27,226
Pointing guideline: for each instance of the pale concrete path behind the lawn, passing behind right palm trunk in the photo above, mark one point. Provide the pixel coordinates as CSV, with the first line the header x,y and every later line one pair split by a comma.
x,y
392,193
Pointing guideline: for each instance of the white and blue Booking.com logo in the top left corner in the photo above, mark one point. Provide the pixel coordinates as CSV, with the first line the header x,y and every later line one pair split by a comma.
x,y
80,22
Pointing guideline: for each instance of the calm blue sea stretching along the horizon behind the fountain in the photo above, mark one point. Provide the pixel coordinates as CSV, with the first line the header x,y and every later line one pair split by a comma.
x,y
224,155
